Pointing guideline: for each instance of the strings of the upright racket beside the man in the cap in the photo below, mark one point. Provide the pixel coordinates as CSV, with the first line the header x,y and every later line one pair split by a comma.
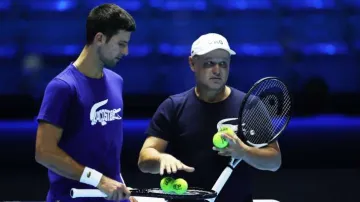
x,y
266,112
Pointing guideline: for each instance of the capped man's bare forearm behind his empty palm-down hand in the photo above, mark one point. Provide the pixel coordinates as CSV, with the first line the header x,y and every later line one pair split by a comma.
x,y
149,161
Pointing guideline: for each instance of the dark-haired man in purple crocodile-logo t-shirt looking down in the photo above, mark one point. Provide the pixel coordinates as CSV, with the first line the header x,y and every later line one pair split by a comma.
x,y
80,132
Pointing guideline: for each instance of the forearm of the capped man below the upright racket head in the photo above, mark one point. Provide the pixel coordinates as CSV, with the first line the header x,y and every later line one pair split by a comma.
x,y
263,159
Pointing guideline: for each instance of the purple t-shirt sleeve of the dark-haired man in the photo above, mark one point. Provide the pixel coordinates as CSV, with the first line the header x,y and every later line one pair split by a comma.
x,y
54,106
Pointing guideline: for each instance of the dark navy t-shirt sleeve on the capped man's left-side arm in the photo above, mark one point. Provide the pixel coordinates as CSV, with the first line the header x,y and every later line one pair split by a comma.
x,y
162,122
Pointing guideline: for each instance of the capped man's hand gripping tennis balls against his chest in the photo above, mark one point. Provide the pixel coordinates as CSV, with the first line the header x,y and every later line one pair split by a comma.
x,y
236,148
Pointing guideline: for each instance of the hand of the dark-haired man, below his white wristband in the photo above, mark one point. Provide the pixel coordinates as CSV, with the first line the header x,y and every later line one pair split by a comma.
x,y
113,189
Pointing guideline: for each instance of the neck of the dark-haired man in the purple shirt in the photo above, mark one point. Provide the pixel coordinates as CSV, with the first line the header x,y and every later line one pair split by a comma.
x,y
88,64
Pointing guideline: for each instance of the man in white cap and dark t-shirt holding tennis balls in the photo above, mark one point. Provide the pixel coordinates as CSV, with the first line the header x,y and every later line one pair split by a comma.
x,y
184,124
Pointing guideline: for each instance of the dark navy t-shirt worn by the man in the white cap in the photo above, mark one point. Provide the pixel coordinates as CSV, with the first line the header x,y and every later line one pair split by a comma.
x,y
188,124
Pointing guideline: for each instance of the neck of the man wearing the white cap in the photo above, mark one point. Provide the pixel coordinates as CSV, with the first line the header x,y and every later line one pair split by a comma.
x,y
212,96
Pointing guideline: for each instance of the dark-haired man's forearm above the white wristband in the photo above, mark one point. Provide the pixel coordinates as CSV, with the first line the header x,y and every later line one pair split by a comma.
x,y
61,163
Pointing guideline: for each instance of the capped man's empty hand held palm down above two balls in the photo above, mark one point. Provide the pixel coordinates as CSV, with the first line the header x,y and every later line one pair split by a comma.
x,y
172,165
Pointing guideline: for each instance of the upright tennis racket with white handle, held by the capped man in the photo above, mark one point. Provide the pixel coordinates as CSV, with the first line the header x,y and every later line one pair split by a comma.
x,y
263,116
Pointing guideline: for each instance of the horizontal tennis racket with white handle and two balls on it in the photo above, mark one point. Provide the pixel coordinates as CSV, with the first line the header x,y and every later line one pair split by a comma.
x,y
193,193
